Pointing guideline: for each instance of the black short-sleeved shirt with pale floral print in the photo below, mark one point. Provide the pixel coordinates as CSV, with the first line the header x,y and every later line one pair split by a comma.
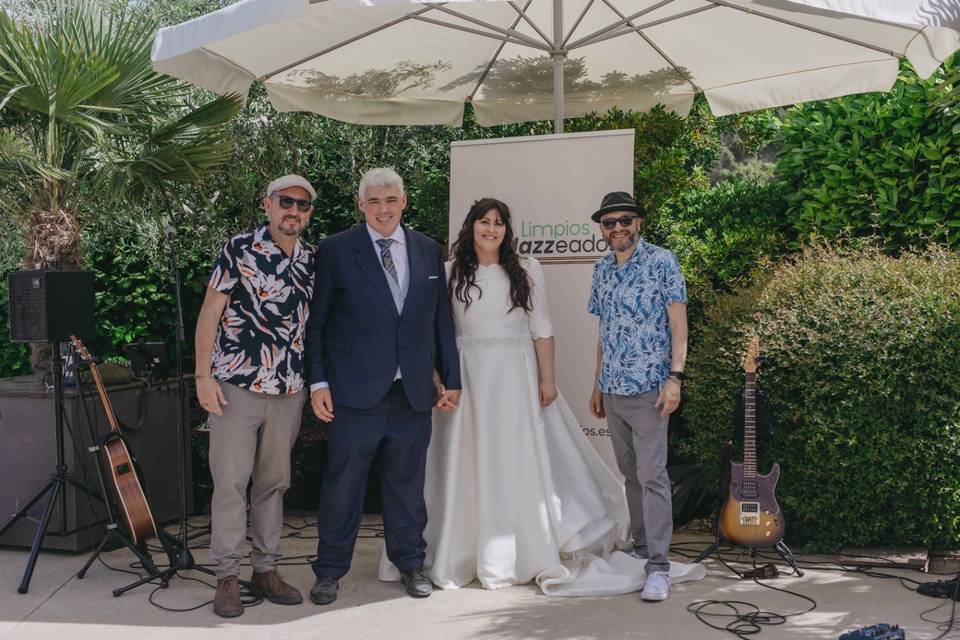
x,y
260,339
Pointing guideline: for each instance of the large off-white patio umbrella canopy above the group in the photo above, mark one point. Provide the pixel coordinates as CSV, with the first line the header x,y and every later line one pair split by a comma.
x,y
520,60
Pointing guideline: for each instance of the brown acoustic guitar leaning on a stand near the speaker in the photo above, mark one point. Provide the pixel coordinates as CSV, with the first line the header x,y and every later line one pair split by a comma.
x,y
134,510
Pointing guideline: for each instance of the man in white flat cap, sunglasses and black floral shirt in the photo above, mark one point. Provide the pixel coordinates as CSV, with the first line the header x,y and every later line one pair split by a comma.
x,y
250,377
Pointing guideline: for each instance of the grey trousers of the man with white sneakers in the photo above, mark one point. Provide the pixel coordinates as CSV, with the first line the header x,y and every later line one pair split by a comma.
x,y
639,435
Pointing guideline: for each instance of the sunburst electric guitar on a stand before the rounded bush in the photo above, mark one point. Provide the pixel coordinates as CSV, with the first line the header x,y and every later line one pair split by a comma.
x,y
751,516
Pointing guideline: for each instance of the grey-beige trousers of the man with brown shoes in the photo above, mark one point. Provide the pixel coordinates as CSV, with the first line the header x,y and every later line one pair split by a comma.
x,y
253,438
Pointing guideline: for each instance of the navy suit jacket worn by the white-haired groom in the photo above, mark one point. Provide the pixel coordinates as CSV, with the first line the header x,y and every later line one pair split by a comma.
x,y
356,339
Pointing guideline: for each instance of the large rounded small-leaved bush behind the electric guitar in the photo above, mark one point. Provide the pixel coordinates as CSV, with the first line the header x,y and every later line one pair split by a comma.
x,y
860,361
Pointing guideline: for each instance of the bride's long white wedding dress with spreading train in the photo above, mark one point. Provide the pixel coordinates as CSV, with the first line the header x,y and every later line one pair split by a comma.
x,y
515,492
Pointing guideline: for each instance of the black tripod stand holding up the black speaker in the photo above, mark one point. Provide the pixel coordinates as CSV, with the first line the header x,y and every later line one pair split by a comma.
x,y
56,487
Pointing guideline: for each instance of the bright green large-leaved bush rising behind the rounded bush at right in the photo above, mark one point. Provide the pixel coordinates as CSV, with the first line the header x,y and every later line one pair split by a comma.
x,y
885,164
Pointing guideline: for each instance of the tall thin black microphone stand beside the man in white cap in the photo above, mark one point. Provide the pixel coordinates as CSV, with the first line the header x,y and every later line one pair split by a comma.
x,y
178,550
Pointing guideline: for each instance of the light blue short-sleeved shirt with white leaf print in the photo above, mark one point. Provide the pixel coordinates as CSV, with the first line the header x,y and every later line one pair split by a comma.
x,y
631,302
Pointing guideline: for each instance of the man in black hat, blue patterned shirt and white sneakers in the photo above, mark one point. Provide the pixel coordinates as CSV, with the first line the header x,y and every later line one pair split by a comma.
x,y
640,297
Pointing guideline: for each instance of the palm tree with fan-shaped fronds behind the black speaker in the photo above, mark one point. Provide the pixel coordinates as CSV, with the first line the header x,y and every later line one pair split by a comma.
x,y
85,120
